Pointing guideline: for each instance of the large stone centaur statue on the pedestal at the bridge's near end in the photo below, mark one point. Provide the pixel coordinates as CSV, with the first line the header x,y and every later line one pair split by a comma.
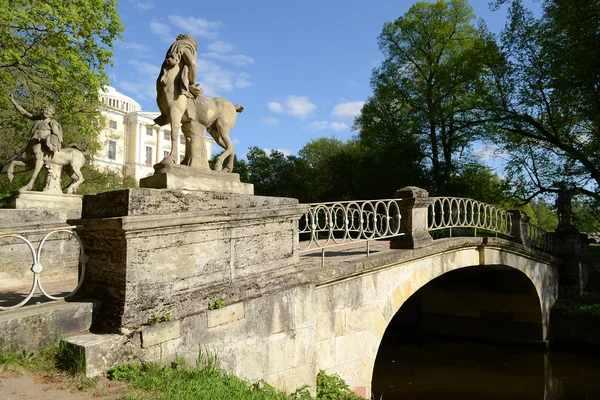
x,y
181,104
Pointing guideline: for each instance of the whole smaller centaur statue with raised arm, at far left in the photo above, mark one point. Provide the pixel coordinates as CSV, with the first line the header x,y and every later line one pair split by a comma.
x,y
44,148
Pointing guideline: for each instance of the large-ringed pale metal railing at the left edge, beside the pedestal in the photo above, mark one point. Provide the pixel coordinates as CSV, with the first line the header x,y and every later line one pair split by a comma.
x,y
37,266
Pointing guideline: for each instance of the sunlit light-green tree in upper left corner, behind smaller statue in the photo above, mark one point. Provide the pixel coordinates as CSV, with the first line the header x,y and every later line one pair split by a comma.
x,y
54,51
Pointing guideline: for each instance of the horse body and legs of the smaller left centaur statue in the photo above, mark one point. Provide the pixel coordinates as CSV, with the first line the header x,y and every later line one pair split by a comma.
x,y
71,159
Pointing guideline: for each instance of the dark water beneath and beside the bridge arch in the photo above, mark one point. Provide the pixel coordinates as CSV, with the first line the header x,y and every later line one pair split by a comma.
x,y
454,369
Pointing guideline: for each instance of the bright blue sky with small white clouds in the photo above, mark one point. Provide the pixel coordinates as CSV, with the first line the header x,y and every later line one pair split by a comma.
x,y
300,68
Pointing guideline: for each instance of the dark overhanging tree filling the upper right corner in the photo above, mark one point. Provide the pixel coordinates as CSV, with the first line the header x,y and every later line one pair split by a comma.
x,y
546,106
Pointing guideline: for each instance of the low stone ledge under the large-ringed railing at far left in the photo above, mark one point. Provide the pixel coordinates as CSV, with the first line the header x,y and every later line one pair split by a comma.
x,y
36,326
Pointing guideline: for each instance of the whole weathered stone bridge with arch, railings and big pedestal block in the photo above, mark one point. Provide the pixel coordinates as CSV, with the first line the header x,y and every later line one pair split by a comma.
x,y
298,297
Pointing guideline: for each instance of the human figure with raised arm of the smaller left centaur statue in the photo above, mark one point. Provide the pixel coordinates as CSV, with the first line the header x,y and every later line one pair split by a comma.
x,y
46,135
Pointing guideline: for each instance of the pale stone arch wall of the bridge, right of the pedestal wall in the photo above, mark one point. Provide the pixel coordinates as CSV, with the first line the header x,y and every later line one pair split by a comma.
x,y
350,323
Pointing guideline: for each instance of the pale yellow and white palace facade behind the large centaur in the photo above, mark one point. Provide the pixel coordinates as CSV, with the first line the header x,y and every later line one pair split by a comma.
x,y
132,142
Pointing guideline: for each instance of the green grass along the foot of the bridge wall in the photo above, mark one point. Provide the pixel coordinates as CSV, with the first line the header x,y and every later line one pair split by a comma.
x,y
177,381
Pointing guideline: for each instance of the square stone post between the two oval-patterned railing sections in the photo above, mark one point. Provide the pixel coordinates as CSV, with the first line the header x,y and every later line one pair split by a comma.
x,y
413,222
